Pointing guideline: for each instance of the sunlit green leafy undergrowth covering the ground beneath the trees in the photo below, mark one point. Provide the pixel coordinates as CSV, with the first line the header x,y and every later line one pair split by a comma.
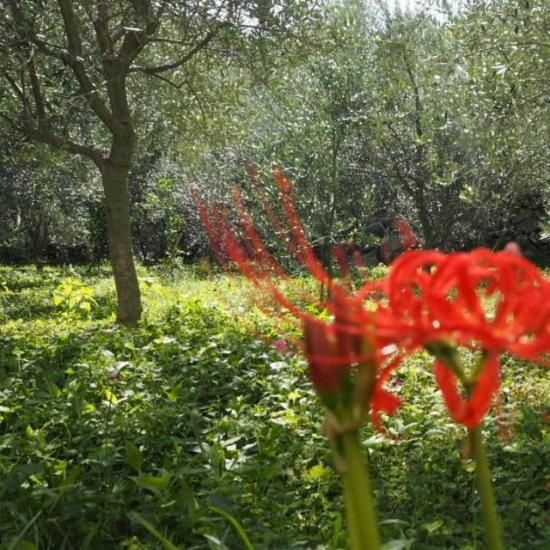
x,y
193,431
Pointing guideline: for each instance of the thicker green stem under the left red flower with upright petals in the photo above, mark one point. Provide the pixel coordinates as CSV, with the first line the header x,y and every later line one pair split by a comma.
x,y
360,513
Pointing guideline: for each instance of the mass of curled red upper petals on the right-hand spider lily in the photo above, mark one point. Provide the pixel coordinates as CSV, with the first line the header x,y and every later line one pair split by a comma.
x,y
494,300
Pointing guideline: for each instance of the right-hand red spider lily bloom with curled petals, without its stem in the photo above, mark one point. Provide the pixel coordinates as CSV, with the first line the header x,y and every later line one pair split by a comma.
x,y
493,301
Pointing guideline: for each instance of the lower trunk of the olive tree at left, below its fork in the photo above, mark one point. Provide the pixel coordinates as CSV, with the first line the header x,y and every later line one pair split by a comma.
x,y
117,209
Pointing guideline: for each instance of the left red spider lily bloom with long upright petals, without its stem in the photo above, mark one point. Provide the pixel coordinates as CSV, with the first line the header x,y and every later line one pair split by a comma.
x,y
344,353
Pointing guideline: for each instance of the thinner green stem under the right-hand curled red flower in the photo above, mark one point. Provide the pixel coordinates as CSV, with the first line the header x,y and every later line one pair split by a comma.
x,y
485,487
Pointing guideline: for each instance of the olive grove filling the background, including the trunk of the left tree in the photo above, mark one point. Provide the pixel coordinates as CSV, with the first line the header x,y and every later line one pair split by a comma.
x,y
438,116
